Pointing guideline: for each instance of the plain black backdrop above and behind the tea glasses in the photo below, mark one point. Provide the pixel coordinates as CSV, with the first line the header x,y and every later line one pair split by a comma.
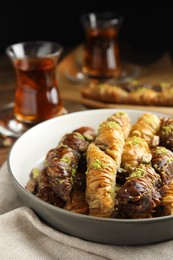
x,y
147,29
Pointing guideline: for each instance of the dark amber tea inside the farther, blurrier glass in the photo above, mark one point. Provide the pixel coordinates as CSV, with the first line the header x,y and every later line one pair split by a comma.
x,y
101,56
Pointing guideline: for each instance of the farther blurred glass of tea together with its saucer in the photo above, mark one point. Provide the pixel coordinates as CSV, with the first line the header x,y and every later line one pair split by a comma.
x,y
100,59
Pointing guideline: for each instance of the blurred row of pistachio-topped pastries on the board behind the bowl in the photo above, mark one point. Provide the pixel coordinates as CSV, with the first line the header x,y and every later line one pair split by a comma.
x,y
132,92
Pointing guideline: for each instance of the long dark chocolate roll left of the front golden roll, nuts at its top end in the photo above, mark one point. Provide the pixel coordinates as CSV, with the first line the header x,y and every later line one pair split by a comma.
x,y
62,162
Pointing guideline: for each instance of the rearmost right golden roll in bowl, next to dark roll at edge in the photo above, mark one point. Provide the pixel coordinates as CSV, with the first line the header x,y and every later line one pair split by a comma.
x,y
147,127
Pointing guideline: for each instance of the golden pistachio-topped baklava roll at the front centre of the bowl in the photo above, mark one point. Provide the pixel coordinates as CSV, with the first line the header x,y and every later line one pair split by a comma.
x,y
100,182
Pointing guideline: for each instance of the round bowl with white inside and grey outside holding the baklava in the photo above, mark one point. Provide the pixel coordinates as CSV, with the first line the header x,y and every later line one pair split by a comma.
x,y
30,149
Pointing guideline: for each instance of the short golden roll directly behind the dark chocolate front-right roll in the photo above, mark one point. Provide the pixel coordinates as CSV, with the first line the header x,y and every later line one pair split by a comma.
x,y
136,151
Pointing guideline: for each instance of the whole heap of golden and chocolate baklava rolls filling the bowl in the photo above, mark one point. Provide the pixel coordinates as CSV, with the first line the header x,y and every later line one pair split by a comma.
x,y
119,170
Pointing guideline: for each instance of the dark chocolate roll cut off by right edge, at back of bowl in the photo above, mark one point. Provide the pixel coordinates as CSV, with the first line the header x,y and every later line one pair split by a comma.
x,y
166,133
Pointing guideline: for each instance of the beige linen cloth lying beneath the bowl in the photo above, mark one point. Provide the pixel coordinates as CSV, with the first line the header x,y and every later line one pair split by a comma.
x,y
24,236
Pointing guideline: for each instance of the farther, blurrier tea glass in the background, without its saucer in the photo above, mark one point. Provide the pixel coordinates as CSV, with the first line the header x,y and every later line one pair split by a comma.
x,y
101,51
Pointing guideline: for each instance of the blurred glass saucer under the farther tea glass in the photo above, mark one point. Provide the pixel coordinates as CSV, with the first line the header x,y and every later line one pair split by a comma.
x,y
129,72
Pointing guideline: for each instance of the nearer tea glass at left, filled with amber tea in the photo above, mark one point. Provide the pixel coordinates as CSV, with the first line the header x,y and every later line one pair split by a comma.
x,y
37,96
